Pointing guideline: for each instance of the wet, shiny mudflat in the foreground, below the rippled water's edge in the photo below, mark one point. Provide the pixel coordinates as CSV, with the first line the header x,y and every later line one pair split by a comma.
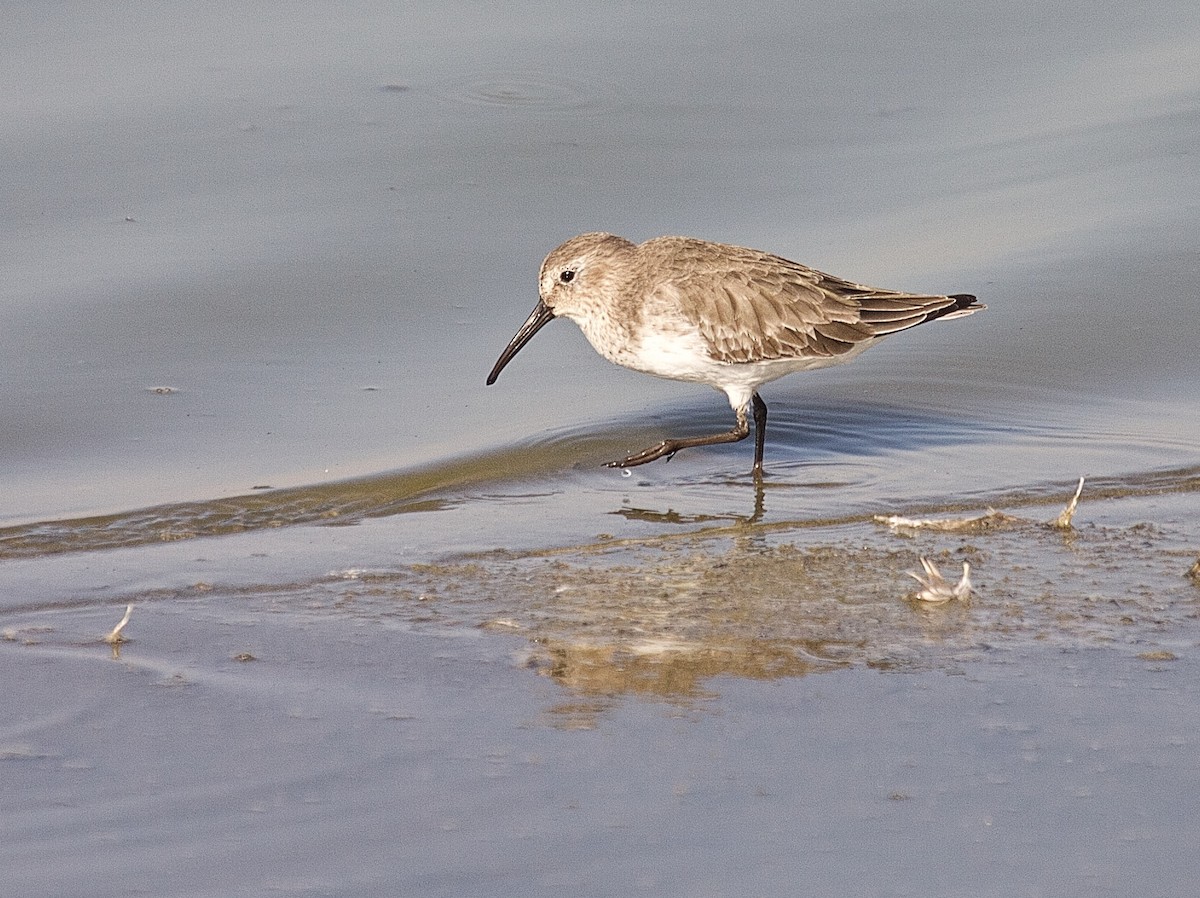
x,y
703,713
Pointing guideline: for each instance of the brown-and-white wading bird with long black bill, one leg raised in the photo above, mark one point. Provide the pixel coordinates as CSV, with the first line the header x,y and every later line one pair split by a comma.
x,y
731,318
